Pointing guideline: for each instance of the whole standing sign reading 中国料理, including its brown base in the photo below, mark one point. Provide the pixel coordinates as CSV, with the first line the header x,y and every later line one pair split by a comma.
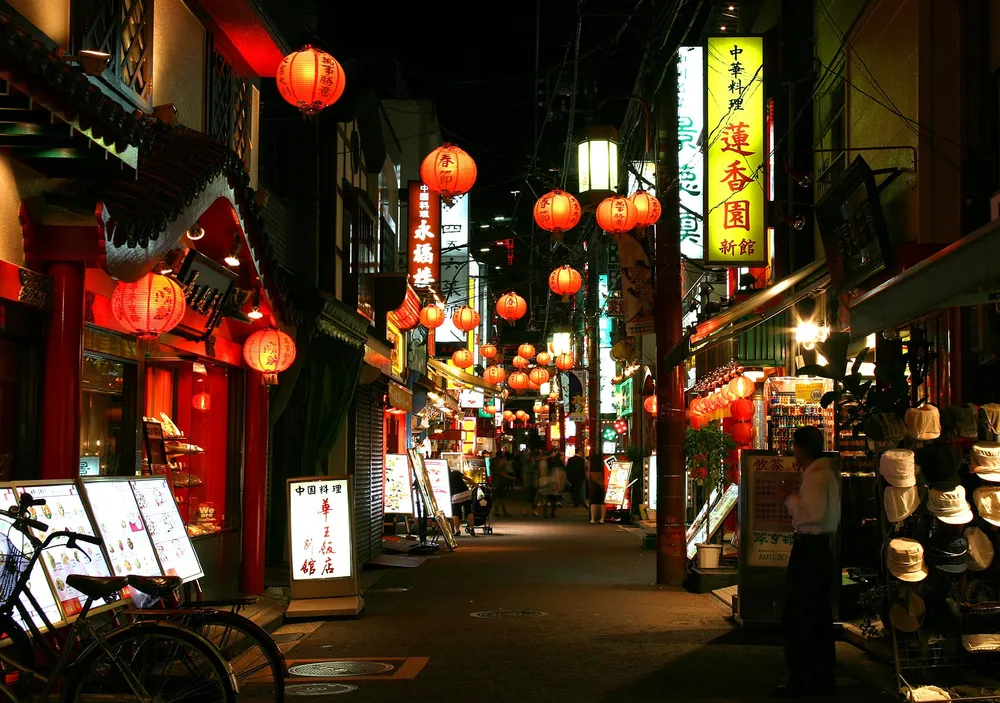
x,y
324,578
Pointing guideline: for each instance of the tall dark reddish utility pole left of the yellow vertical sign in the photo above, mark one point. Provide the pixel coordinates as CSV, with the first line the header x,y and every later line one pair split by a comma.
x,y
671,558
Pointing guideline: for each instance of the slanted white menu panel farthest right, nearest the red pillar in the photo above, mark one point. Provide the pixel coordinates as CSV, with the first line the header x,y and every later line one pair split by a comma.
x,y
166,529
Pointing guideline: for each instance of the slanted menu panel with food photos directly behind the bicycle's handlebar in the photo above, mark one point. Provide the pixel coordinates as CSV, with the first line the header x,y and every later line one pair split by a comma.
x,y
63,510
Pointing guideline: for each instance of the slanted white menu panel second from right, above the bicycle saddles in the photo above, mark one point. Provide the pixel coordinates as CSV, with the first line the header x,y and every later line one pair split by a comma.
x,y
122,528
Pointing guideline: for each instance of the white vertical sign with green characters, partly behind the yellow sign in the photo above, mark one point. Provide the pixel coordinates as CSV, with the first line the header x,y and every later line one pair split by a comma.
x,y
690,157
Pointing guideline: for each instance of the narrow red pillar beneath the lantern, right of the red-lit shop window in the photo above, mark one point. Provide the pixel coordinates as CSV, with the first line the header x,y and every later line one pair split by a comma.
x,y
254,486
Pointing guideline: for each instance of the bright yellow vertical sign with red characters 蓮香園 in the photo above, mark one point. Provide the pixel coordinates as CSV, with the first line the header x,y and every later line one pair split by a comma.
x,y
734,207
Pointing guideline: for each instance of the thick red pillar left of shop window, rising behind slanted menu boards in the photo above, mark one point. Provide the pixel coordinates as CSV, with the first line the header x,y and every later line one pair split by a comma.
x,y
63,385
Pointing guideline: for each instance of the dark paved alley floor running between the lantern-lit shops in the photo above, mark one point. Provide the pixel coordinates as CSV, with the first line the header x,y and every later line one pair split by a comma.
x,y
608,634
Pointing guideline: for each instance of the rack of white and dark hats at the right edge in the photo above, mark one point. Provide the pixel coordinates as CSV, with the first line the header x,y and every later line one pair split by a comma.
x,y
939,491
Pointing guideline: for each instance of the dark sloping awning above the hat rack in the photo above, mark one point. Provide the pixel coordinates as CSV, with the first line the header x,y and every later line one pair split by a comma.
x,y
965,273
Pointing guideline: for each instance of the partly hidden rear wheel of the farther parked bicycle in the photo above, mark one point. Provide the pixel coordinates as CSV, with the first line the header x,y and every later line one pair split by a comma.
x,y
257,661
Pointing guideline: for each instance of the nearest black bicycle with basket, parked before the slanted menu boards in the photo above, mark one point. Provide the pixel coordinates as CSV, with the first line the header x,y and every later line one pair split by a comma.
x,y
142,661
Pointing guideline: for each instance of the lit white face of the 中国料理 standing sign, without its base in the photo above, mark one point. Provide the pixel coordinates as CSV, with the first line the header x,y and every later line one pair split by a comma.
x,y
319,512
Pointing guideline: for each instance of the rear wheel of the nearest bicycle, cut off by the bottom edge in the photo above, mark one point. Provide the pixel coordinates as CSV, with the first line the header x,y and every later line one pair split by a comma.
x,y
151,661
